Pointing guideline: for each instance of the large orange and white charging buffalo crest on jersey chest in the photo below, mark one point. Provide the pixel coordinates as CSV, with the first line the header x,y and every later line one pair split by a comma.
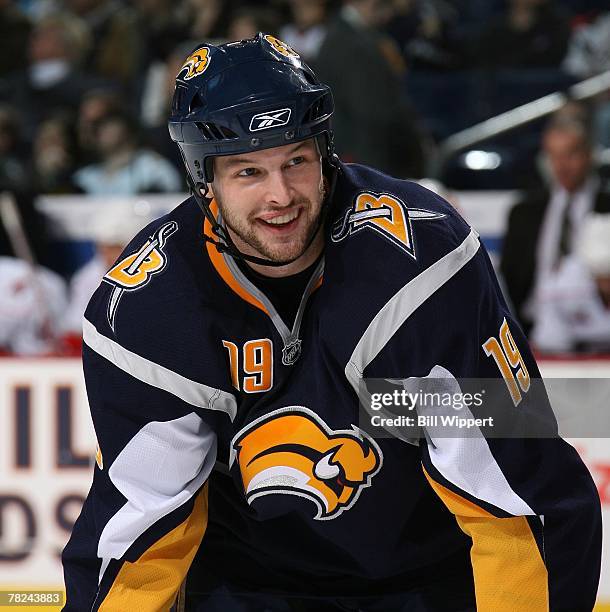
x,y
291,451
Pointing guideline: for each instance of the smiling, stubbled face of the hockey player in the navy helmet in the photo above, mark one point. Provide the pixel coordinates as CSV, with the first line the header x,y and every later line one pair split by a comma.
x,y
270,200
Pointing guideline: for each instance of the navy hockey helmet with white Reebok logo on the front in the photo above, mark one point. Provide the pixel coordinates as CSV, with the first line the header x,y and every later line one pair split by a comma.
x,y
245,96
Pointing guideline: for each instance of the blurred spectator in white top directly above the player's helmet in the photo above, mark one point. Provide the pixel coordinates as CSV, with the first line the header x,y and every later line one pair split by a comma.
x,y
306,32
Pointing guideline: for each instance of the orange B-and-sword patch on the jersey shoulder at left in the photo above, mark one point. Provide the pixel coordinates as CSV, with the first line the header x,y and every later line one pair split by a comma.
x,y
135,270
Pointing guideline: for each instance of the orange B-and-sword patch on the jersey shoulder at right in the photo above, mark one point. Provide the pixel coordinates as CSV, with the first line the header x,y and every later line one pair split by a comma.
x,y
385,214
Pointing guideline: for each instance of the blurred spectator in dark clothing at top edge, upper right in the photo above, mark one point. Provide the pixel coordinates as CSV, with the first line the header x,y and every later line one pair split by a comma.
x,y
532,34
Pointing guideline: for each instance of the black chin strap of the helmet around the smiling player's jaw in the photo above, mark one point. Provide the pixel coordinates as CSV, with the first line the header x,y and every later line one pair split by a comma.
x,y
226,245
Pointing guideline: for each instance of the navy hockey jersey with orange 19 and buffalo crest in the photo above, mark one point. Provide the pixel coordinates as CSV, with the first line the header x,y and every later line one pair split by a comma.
x,y
229,439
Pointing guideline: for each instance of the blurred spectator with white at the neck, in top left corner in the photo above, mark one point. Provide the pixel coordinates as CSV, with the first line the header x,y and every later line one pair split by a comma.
x,y
53,81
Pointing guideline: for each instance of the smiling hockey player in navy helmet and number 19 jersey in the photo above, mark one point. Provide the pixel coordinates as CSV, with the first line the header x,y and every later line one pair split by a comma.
x,y
223,356
